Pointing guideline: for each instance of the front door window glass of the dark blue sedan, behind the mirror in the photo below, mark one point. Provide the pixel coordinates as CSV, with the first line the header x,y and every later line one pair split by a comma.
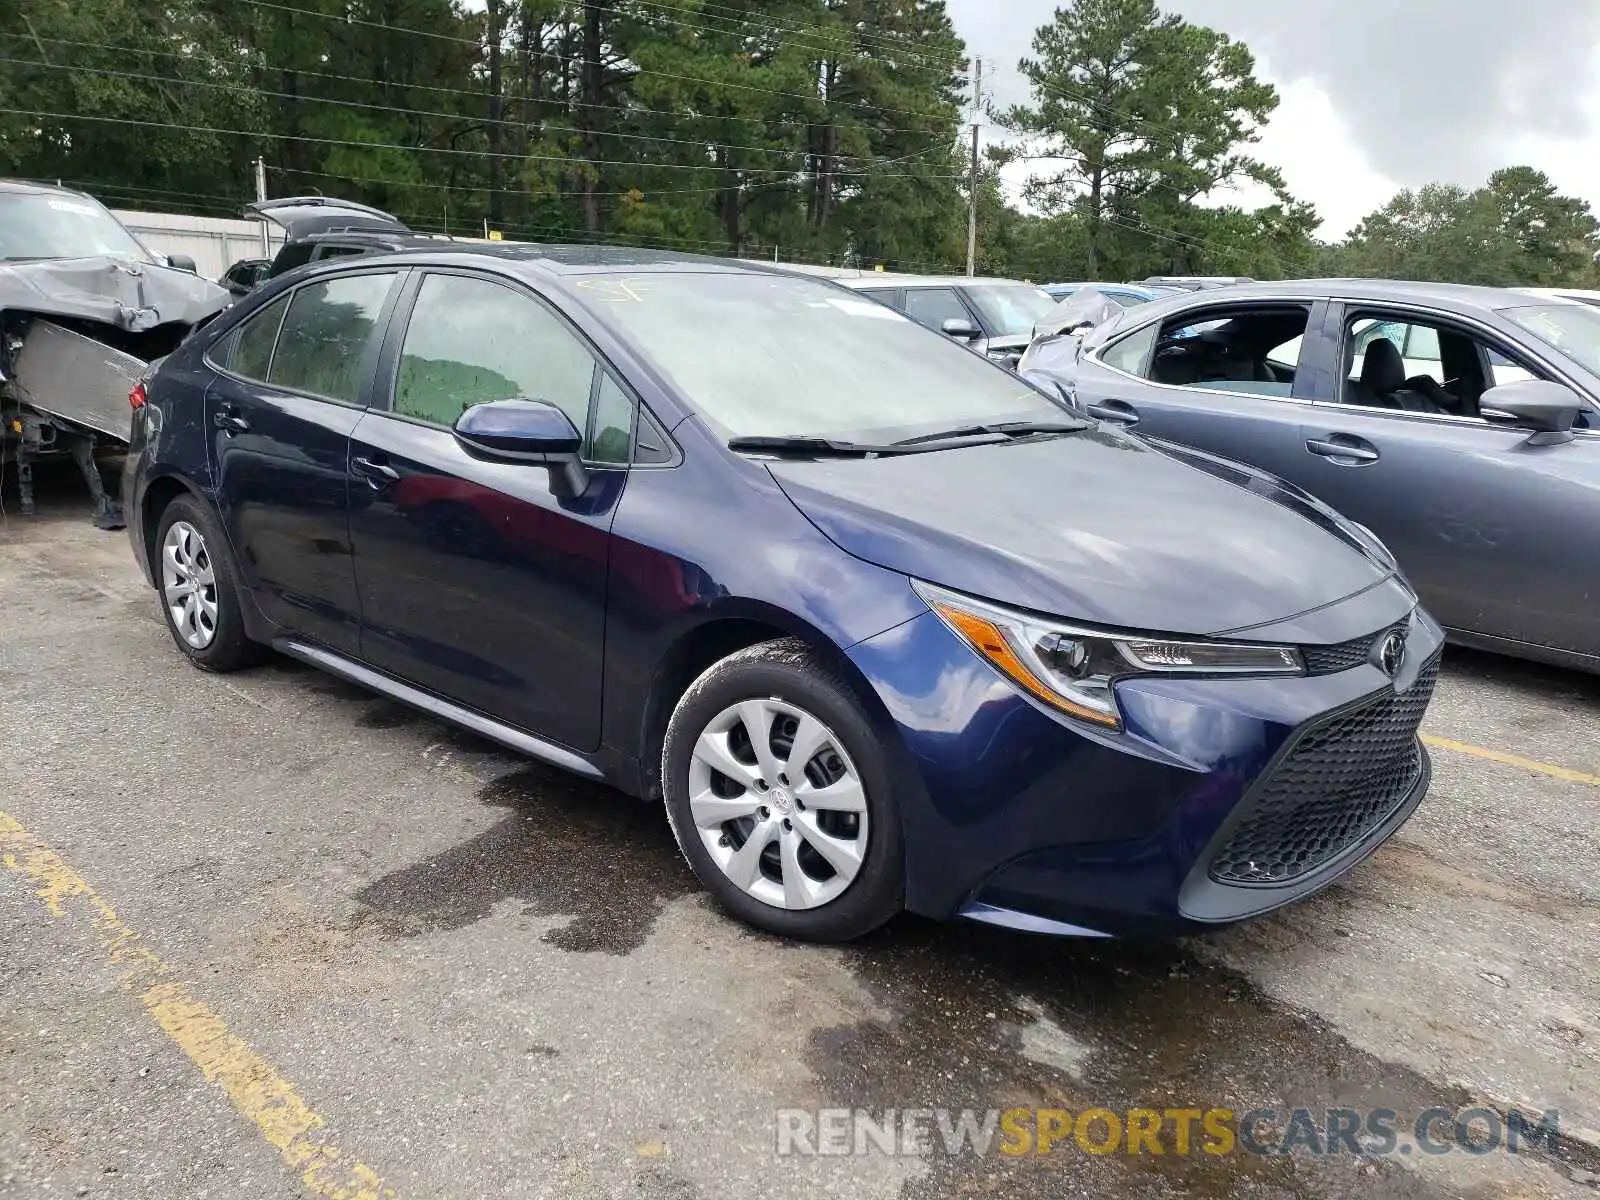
x,y
473,342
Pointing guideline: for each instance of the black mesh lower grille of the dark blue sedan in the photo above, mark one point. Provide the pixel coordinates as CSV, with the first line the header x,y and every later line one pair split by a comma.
x,y
1338,783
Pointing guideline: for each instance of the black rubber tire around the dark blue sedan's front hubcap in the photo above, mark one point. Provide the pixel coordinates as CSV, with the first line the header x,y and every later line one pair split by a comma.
x,y
791,673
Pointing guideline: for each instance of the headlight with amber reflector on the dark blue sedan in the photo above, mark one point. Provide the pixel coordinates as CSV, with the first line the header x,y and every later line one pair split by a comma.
x,y
1073,668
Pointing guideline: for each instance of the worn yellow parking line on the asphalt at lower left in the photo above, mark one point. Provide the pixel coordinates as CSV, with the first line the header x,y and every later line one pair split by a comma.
x,y
250,1082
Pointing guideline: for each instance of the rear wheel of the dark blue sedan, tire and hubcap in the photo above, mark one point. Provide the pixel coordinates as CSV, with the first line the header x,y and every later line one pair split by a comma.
x,y
199,590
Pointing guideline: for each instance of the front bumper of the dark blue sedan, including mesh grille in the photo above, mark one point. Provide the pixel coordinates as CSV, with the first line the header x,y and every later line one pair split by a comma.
x,y
1218,801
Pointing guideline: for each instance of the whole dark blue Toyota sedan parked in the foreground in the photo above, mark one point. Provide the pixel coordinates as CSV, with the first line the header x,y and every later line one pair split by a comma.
x,y
882,625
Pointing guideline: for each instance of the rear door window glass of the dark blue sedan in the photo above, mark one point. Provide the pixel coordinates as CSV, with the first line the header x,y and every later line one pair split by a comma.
x,y
326,335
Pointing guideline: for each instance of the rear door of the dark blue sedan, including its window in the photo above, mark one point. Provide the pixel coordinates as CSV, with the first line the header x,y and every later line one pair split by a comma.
x,y
290,386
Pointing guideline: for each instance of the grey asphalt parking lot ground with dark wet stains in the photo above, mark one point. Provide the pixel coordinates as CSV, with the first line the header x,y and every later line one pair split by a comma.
x,y
337,950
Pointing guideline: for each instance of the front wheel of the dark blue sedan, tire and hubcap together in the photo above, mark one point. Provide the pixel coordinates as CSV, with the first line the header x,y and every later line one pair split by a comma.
x,y
780,796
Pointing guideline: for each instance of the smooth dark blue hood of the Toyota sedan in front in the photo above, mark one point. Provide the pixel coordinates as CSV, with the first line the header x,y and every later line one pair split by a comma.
x,y
1095,527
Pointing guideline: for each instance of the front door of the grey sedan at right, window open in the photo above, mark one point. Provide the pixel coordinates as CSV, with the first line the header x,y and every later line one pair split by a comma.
x,y
1498,534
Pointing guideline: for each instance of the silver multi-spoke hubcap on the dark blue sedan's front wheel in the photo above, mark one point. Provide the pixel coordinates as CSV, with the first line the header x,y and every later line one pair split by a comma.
x,y
778,804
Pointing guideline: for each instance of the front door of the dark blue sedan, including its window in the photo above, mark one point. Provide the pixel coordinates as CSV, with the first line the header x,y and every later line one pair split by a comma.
x,y
479,582
